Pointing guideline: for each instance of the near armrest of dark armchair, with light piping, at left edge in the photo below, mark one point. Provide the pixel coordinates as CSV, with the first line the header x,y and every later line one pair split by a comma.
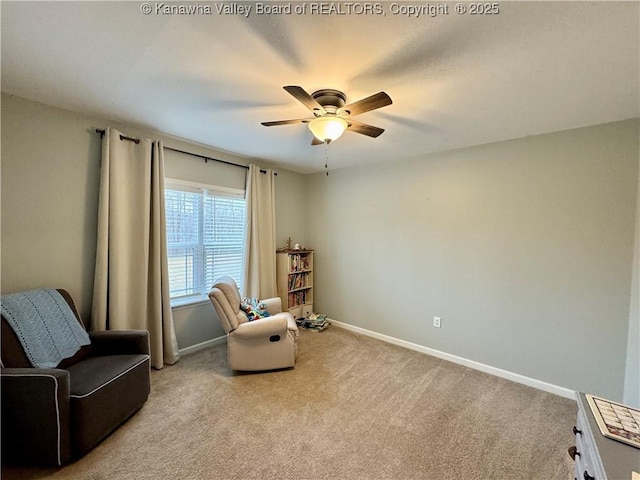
x,y
35,415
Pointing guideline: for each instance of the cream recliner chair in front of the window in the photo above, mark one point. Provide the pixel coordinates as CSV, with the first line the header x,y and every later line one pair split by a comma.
x,y
263,344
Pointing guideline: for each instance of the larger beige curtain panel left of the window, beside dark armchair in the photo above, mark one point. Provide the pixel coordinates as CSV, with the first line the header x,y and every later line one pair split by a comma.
x,y
131,288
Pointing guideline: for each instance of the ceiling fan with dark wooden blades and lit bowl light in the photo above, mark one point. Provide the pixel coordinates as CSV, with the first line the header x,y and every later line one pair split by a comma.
x,y
332,116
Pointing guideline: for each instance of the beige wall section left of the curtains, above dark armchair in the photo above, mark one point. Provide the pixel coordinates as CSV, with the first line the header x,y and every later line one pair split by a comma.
x,y
50,175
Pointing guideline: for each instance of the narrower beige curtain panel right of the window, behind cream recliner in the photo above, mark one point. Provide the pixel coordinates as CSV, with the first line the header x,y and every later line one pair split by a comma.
x,y
260,235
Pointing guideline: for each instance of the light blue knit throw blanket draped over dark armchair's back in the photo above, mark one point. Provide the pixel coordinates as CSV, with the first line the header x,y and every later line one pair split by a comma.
x,y
45,324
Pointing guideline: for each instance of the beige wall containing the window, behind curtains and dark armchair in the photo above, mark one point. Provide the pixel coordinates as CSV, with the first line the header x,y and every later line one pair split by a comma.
x,y
50,178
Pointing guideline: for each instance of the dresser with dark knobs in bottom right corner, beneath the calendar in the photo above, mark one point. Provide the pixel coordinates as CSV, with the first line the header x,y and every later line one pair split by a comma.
x,y
596,456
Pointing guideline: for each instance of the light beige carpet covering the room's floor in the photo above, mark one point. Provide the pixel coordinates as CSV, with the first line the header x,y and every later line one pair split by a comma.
x,y
353,408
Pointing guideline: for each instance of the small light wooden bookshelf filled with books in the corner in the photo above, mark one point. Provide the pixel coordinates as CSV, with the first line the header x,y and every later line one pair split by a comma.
x,y
294,271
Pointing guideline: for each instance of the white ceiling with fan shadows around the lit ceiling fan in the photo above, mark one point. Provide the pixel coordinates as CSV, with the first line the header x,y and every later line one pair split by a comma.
x,y
455,80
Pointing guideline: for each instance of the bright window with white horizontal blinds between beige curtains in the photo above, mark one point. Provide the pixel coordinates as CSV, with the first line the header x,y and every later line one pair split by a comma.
x,y
205,237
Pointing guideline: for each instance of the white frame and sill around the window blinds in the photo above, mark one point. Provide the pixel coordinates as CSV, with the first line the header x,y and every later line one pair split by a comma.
x,y
211,190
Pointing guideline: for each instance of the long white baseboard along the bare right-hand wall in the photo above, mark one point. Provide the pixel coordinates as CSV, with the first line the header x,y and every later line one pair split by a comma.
x,y
498,372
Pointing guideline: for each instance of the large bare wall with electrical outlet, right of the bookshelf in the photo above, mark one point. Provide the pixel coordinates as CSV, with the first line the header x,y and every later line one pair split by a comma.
x,y
524,248
